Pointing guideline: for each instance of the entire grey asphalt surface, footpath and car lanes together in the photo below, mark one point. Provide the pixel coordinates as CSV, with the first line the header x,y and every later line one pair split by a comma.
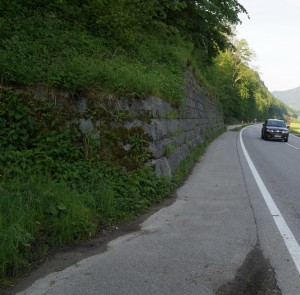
x,y
210,237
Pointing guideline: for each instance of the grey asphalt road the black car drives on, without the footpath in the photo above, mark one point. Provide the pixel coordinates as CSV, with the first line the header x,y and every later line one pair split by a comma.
x,y
278,165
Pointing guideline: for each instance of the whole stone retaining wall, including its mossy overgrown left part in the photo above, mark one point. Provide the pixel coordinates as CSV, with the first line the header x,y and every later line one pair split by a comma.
x,y
173,131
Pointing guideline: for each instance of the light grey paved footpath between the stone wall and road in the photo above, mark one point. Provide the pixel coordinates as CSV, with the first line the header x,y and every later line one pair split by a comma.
x,y
191,247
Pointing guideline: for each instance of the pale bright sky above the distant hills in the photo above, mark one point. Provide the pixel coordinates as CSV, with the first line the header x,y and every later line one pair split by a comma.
x,y
273,33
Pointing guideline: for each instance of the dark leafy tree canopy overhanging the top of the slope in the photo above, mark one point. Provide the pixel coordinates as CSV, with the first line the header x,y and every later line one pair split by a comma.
x,y
207,24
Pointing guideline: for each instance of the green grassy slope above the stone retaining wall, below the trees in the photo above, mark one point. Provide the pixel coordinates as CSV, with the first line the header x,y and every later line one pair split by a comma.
x,y
46,49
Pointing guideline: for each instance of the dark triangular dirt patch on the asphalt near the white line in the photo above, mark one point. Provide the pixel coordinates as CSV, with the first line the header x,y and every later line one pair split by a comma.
x,y
255,277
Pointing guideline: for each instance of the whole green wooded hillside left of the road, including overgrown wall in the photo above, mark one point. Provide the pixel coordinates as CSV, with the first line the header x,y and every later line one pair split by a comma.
x,y
59,184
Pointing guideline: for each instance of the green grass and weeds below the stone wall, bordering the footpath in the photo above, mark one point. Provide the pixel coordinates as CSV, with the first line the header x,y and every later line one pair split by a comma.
x,y
38,212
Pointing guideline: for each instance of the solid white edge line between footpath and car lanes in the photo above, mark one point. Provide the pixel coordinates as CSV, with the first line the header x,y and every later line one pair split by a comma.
x,y
288,237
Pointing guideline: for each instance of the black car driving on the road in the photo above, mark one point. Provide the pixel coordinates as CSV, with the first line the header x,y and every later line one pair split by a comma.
x,y
275,129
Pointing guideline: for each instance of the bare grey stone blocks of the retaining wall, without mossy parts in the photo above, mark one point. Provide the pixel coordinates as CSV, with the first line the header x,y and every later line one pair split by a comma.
x,y
174,131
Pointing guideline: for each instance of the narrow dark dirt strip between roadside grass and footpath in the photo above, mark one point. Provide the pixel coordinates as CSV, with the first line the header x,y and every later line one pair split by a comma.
x,y
63,257
